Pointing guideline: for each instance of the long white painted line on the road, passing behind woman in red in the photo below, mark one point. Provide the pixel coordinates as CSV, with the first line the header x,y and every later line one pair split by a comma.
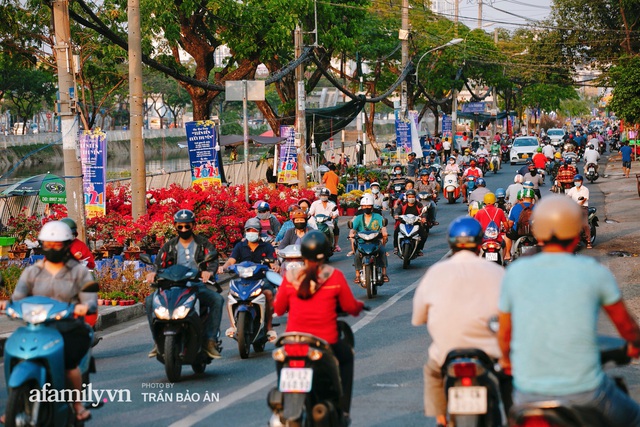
x,y
270,380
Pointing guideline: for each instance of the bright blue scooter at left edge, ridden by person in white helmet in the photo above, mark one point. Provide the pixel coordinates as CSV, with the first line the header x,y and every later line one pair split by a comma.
x,y
34,361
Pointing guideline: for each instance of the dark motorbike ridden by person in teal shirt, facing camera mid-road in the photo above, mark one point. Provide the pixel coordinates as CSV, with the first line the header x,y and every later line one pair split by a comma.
x,y
369,247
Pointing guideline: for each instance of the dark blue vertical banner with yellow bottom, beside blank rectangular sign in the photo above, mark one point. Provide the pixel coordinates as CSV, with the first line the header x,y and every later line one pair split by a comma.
x,y
204,153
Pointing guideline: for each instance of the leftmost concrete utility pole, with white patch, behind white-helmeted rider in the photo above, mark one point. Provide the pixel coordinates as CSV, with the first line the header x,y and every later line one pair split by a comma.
x,y
67,111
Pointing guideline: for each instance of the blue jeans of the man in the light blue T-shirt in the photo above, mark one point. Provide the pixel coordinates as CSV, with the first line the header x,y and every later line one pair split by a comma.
x,y
617,407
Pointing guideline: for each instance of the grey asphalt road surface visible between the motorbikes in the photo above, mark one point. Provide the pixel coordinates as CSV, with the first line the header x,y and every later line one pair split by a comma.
x,y
389,358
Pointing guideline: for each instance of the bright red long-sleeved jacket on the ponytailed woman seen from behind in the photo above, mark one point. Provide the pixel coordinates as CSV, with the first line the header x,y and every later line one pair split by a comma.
x,y
316,315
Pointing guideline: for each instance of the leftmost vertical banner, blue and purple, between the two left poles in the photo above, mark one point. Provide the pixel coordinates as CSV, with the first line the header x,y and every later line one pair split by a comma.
x,y
93,155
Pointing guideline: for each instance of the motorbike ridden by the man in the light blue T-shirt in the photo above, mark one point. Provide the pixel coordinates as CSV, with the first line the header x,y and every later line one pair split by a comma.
x,y
555,413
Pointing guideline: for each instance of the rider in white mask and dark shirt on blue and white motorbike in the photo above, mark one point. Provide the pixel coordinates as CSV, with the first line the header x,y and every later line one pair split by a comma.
x,y
253,249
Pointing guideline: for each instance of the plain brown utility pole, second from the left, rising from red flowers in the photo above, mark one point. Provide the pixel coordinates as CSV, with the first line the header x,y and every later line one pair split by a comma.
x,y
138,169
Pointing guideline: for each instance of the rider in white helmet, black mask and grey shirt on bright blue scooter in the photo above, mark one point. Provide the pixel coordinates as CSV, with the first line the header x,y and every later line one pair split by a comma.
x,y
60,276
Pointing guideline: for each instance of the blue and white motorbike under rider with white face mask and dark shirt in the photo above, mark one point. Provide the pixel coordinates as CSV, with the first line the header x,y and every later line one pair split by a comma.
x,y
246,305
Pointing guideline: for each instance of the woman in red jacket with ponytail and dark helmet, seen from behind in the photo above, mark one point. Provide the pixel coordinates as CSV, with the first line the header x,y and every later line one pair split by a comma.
x,y
312,295
